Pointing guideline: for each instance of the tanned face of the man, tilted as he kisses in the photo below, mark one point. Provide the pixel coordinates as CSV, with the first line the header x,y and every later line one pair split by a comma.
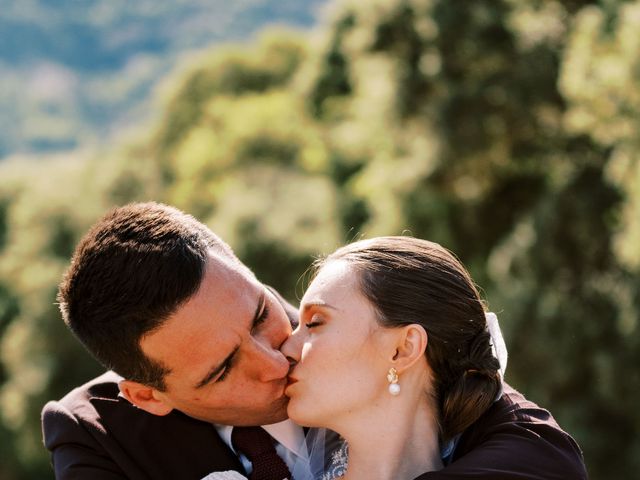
x,y
222,350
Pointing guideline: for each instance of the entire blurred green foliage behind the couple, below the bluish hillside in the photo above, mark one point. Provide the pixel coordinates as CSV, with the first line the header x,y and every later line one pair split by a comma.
x,y
506,130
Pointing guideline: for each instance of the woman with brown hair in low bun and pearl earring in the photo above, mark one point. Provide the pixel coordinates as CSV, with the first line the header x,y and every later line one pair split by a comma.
x,y
393,352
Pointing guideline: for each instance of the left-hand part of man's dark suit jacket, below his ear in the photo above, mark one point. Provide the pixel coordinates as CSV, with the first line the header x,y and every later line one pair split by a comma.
x,y
93,433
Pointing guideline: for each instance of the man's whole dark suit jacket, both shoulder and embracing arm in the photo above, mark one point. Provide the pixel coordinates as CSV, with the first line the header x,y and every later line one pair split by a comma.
x,y
93,433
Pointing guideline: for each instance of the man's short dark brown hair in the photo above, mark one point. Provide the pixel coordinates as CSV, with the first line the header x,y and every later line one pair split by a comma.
x,y
128,274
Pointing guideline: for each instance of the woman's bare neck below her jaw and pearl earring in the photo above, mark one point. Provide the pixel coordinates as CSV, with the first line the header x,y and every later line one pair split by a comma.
x,y
397,439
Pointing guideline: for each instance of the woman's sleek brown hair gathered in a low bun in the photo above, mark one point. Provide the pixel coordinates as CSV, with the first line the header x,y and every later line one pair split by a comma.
x,y
413,281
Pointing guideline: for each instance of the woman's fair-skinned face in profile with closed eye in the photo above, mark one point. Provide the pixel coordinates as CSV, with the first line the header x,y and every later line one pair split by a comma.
x,y
342,354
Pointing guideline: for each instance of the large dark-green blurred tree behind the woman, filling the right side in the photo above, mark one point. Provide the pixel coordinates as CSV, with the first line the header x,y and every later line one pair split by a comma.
x,y
487,126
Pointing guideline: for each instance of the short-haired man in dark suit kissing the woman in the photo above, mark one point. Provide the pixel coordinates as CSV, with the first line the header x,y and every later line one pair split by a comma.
x,y
194,338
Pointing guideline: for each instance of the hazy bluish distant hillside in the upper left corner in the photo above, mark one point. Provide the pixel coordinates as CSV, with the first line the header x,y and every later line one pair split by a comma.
x,y
76,72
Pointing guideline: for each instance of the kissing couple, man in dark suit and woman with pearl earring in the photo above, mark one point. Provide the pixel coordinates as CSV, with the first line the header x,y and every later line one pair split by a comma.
x,y
390,369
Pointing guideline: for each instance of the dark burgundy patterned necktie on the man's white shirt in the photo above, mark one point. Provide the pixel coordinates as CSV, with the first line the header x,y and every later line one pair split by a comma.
x,y
257,445
